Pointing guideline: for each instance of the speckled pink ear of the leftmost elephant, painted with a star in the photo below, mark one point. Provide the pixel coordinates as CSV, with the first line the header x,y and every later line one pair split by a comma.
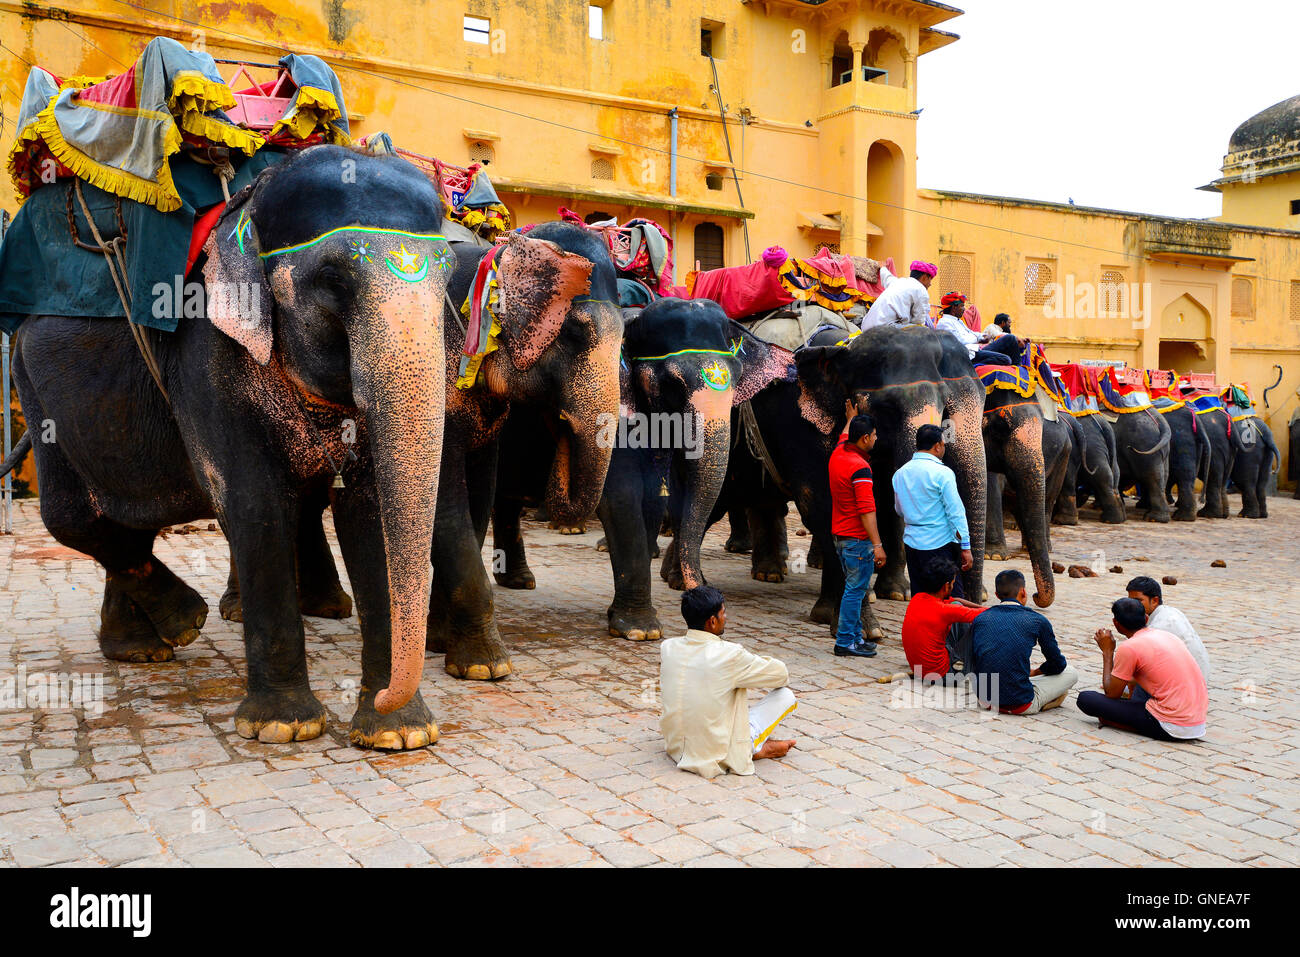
x,y
240,301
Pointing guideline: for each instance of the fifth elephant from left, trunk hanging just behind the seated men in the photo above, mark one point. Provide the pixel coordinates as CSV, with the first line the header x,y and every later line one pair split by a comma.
x,y
1030,456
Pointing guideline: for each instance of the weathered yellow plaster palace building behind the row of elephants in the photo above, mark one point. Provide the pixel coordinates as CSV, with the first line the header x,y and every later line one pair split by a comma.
x,y
742,124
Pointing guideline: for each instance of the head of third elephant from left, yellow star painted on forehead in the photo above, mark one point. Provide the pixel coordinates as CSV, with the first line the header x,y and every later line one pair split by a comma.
x,y
690,365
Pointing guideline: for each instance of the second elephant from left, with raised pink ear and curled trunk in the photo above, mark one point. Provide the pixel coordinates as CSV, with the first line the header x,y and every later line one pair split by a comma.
x,y
560,336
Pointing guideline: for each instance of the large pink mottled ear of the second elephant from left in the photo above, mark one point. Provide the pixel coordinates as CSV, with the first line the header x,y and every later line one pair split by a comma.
x,y
539,283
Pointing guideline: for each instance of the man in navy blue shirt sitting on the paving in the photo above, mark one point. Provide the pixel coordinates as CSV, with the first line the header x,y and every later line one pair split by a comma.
x,y
1003,642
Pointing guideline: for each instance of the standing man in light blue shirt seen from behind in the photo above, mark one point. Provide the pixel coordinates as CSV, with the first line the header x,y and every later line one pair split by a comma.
x,y
928,500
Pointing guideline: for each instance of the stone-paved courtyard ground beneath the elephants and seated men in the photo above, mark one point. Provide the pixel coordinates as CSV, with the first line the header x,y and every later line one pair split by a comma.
x,y
564,764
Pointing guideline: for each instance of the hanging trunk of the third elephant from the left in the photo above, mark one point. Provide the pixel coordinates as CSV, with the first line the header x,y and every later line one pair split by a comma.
x,y
707,448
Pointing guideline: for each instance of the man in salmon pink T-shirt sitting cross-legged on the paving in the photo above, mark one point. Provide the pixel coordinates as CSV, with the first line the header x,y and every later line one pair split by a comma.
x,y
1169,700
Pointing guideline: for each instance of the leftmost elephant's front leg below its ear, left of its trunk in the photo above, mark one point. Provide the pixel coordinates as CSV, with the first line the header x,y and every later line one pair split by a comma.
x,y
280,705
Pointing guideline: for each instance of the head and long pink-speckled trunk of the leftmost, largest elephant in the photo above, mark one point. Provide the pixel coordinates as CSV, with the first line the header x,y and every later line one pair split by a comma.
x,y
331,272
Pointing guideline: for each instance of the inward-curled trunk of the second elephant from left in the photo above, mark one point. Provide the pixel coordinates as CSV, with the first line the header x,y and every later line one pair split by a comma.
x,y
582,454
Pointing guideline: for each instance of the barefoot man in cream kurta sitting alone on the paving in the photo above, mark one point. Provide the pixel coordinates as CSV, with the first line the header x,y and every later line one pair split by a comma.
x,y
708,726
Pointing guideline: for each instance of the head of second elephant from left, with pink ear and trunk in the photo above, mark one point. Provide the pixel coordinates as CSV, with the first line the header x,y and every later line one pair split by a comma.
x,y
561,328
